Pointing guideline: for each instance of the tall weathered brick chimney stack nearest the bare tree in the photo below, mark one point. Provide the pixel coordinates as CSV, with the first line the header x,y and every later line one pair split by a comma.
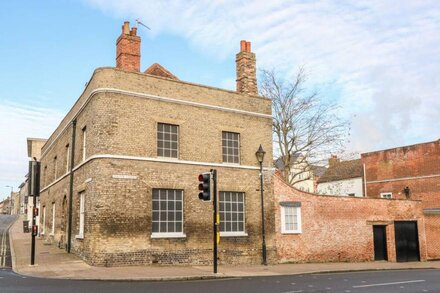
x,y
246,70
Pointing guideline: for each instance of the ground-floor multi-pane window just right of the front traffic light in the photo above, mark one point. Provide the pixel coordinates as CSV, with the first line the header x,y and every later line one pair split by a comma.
x,y
232,214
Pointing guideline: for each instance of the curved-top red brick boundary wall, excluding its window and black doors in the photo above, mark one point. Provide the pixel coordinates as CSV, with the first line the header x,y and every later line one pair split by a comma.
x,y
336,228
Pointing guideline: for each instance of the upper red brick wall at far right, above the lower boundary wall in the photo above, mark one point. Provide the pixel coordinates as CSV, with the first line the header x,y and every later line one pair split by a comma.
x,y
405,163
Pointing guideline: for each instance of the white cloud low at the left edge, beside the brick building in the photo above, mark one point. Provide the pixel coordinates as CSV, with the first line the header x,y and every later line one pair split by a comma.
x,y
19,122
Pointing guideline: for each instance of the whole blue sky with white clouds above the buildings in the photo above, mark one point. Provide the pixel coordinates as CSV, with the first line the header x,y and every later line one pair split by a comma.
x,y
379,61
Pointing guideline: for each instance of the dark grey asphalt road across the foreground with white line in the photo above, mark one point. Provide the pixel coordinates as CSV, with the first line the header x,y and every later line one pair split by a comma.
x,y
362,282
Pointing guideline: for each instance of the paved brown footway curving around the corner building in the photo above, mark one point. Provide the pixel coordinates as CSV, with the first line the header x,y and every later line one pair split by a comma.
x,y
53,262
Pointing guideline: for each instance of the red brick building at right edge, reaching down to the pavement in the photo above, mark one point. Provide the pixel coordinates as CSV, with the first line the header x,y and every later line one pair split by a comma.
x,y
409,172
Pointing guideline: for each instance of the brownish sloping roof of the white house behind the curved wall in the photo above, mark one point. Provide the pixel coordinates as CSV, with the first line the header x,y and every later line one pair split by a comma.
x,y
342,170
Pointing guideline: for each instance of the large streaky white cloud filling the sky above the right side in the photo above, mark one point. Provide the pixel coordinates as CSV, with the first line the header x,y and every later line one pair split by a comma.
x,y
383,57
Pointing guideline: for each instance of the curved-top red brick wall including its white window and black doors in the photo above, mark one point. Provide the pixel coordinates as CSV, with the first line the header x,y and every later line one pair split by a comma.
x,y
326,228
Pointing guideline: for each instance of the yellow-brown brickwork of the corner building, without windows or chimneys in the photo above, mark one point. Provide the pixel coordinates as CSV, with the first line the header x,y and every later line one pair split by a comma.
x,y
118,211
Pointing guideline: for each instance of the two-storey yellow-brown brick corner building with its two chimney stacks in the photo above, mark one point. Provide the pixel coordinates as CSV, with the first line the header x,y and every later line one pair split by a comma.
x,y
127,155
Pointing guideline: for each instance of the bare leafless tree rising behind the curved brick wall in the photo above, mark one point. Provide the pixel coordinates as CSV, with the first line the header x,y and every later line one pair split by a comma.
x,y
306,130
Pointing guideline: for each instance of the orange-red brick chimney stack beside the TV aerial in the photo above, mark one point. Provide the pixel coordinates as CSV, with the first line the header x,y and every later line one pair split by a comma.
x,y
128,49
